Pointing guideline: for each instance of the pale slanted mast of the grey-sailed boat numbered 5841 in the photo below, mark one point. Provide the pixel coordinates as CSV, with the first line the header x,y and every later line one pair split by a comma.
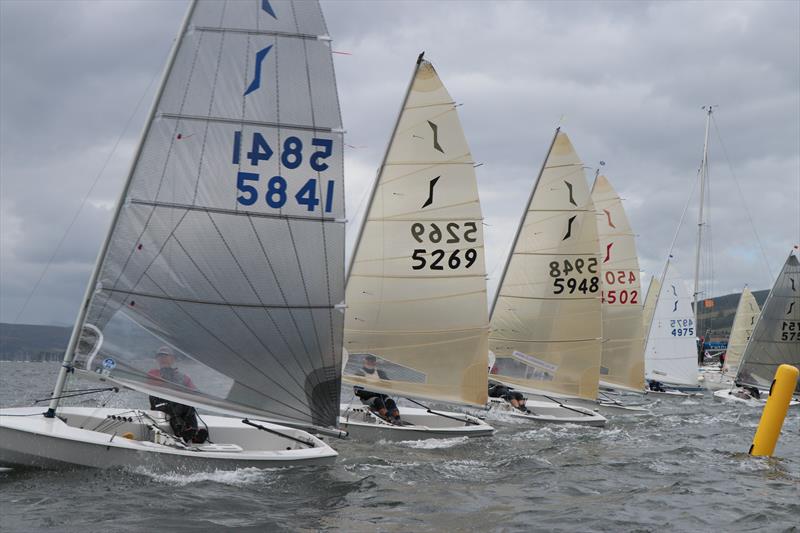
x,y
69,354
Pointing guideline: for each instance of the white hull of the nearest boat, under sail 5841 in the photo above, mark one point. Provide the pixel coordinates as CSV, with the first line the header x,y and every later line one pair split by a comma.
x,y
29,439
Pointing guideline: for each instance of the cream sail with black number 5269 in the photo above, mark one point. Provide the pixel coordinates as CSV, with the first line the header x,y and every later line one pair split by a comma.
x,y
416,292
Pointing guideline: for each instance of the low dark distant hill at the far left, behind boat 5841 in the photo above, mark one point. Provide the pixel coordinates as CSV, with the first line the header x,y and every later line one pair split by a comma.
x,y
24,342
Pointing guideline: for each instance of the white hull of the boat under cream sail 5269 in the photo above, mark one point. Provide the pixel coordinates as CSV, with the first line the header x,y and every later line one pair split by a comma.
x,y
418,424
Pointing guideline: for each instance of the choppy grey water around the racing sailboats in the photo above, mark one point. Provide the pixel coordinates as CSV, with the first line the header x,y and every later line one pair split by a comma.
x,y
682,468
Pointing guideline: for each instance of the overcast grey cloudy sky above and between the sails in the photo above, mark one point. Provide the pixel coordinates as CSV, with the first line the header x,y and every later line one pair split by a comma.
x,y
626,80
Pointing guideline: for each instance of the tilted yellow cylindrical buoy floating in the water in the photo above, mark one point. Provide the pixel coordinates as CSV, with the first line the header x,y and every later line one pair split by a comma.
x,y
780,394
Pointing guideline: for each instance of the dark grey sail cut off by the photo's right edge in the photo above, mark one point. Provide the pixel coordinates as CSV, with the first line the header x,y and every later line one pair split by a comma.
x,y
776,337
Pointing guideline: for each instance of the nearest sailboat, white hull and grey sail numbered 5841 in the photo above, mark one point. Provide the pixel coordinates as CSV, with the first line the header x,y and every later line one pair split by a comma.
x,y
225,260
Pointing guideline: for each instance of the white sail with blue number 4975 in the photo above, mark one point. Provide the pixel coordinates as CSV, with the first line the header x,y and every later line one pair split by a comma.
x,y
671,352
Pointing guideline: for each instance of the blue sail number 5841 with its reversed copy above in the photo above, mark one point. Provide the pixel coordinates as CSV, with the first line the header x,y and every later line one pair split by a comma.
x,y
277,190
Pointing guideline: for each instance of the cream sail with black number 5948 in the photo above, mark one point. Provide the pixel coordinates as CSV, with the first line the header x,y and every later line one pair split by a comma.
x,y
546,321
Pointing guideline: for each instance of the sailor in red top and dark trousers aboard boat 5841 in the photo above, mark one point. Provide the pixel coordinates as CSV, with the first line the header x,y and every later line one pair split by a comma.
x,y
182,418
